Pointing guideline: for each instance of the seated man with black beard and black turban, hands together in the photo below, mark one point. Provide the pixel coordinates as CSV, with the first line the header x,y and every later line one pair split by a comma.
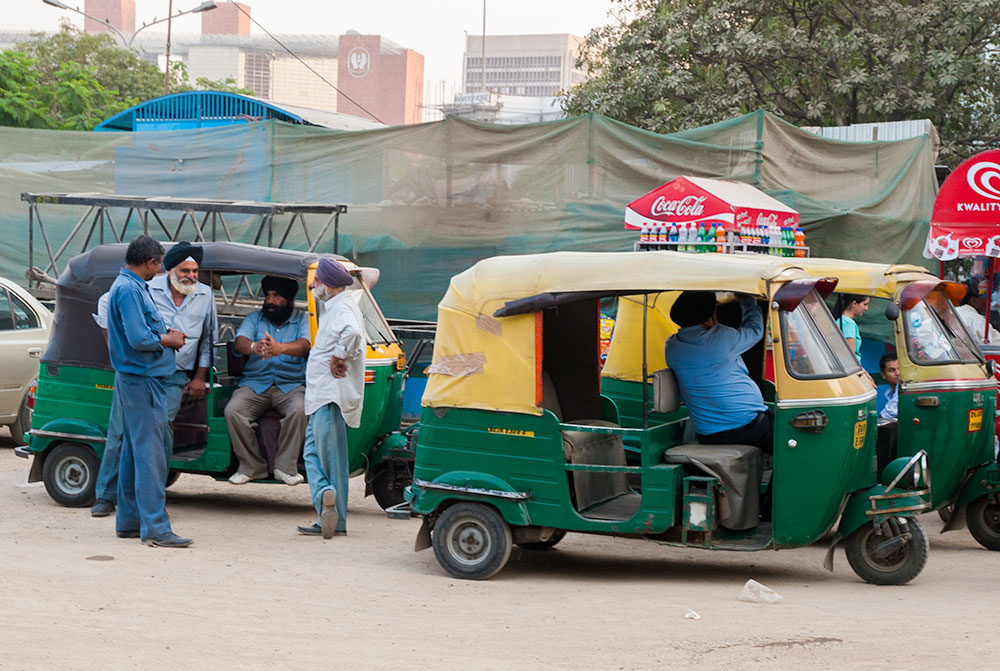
x,y
276,341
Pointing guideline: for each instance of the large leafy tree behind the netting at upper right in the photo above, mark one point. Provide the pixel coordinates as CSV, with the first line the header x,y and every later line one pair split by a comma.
x,y
675,64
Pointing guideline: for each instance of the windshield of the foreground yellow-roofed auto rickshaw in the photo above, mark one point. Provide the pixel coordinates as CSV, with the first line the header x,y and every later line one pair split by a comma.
x,y
813,346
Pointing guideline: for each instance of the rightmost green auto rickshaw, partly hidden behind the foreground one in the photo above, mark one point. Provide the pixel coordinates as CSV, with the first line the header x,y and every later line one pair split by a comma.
x,y
947,395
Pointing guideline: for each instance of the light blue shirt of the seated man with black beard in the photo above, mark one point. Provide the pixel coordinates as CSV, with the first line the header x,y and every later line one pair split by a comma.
x,y
284,371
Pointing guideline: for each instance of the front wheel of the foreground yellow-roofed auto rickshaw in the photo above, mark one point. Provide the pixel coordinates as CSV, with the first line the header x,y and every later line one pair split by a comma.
x,y
901,565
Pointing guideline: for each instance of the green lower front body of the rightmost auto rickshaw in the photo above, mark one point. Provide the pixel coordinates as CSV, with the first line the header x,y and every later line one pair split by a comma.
x,y
949,435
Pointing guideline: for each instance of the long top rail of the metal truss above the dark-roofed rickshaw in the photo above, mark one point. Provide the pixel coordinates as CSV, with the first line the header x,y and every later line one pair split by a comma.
x,y
187,204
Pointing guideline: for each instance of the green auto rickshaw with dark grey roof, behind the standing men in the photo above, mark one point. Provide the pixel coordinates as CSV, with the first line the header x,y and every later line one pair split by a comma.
x,y
75,380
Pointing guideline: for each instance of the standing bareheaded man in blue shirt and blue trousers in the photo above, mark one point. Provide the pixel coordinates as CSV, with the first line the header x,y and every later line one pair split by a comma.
x,y
141,348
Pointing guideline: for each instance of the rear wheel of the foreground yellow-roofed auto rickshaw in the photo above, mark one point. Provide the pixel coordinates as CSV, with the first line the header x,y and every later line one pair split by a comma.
x,y
471,541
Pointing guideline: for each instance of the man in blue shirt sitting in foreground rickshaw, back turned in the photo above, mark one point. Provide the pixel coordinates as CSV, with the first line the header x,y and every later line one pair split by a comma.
x,y
725,405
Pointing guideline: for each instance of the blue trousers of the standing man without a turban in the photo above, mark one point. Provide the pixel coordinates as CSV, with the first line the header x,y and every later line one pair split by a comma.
x,y
143,465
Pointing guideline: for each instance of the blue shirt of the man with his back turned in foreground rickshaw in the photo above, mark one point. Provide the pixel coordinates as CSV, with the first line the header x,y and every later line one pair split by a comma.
x,y
711,376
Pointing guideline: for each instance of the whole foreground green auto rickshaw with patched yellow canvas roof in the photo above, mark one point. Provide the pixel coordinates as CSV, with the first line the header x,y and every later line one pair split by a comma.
x,y
517,445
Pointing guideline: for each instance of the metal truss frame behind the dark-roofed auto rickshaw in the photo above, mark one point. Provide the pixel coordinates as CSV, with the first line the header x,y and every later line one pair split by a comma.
x,y
206,220
